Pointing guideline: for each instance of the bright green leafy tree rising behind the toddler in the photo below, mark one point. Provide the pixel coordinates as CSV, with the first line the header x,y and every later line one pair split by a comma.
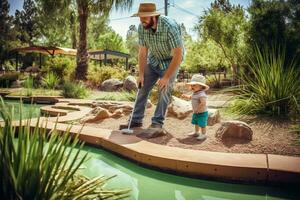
x,y
226,25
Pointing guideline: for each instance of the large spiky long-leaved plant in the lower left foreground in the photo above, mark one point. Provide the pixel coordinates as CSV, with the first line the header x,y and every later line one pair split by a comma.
x,y
41,165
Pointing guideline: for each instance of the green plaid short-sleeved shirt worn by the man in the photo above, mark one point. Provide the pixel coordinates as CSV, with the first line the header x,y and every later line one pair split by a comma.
x,y
161,42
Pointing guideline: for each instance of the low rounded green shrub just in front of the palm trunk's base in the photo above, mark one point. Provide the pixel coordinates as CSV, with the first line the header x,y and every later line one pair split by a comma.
x,y
74,90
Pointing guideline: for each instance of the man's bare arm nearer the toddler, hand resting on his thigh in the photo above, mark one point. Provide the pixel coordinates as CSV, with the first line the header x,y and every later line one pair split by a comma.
x,y
175,62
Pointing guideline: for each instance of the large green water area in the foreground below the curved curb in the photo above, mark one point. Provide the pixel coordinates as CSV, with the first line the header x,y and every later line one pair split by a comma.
x,y
147,184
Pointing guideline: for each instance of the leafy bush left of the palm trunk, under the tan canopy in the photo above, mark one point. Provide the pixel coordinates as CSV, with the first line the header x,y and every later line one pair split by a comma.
x,y
62,67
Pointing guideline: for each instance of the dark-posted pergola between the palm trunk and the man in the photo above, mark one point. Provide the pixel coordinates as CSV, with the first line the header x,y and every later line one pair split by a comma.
x,y
104,55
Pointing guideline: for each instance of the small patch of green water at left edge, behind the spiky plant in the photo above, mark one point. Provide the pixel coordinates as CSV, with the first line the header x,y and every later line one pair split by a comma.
x,y
28,110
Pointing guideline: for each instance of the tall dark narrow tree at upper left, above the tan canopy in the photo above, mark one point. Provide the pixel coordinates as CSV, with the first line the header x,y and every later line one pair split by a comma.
x,y
26,22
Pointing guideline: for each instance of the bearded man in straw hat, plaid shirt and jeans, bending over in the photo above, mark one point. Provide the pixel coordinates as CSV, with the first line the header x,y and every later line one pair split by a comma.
x,y
160,54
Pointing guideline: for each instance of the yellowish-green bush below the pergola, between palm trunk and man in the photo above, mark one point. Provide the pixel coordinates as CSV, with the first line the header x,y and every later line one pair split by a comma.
x,y
96,75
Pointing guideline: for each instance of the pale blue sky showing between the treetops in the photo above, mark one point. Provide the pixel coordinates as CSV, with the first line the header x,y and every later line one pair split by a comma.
x,y
183,11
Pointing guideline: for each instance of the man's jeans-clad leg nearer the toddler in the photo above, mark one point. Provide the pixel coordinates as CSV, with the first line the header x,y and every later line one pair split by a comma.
x,y
164,98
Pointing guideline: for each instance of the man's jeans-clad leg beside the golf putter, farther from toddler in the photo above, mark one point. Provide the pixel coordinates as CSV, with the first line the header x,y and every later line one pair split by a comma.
x,y
150,78
